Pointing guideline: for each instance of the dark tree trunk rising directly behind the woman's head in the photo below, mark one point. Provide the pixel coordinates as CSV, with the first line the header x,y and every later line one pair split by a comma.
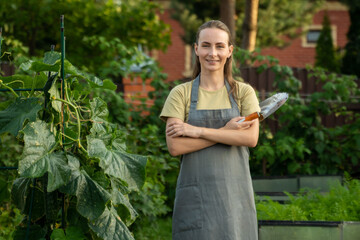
x,y
227,15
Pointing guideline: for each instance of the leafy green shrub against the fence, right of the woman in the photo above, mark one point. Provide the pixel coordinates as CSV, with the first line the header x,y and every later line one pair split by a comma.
x,y
302,144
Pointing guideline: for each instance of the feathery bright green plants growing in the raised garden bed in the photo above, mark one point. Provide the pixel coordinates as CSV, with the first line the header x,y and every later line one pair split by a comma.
x,y
340,204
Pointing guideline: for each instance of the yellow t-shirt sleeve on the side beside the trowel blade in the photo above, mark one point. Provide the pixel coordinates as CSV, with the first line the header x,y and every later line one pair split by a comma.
x,y
249,101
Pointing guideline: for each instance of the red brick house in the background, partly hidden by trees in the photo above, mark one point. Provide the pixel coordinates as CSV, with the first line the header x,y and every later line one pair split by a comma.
x,y
176,61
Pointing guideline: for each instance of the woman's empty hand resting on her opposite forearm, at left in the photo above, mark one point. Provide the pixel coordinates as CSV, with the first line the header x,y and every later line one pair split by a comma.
x,y
181,129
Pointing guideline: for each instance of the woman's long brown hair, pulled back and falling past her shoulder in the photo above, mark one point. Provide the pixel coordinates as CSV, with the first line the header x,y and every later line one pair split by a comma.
x,y
228,65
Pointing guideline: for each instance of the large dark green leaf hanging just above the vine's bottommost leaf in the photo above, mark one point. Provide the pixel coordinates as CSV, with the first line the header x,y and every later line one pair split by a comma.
x,y
91,197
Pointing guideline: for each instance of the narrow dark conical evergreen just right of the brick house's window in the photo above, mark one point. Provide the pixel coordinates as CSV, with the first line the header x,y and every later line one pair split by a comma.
x,y
325,53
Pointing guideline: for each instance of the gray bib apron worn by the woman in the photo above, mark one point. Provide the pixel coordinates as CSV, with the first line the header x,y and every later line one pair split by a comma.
x,y
214,195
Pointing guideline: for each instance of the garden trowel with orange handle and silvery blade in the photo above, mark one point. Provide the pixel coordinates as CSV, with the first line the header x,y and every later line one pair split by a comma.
x,y
268,107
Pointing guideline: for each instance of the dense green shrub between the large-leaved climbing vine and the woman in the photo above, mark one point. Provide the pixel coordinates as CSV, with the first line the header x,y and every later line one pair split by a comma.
x,y
144,134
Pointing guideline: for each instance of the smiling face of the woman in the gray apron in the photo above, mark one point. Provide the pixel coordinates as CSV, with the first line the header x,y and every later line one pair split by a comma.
x,y
213,49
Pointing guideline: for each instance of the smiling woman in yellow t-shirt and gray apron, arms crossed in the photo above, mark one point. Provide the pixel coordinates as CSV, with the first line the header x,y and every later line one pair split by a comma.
x,y
214,195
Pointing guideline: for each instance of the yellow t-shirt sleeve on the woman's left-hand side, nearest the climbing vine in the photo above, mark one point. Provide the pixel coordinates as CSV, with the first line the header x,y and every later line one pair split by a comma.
x,y
175,105
